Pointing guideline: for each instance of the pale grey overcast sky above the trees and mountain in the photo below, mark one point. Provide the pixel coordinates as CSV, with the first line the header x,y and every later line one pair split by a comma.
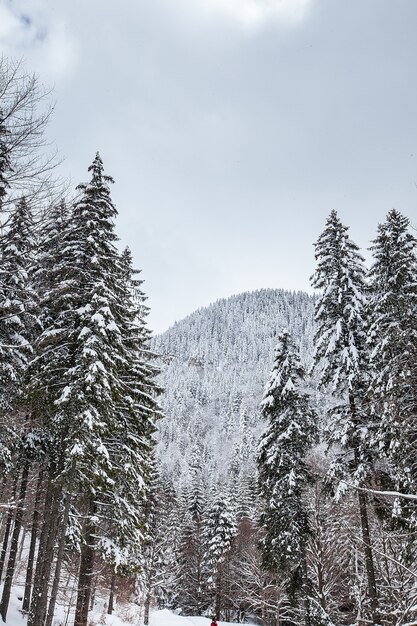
x,y
231,127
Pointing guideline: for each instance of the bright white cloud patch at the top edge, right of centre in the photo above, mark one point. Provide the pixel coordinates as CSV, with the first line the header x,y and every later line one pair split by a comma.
x,y
255,12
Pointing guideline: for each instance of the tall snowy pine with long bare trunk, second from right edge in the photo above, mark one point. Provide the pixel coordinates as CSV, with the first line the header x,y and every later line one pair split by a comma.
x,y
340,356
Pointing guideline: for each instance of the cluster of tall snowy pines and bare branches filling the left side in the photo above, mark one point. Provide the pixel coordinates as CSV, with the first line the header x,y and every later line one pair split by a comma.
x,y
78,406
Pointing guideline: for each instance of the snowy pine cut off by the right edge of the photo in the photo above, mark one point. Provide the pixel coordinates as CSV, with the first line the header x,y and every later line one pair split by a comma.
x,y
392,339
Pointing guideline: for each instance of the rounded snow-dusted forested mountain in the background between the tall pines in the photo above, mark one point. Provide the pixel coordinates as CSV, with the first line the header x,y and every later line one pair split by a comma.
x,y
214,364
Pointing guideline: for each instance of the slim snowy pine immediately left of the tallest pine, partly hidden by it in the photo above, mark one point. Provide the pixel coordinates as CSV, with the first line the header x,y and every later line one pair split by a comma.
x,y
44,378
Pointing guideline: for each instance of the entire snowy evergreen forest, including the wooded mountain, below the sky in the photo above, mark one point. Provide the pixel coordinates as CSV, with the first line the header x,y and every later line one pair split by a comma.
x,y
255,463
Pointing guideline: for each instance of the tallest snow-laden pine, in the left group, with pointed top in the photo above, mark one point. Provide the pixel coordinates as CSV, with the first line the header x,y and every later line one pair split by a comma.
x,y
97,407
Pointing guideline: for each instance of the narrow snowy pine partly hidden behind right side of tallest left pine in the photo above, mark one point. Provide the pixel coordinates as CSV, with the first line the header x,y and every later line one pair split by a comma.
x,y
131,448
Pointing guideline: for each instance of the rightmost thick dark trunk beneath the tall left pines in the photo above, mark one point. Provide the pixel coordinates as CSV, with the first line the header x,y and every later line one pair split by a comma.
x,y
86,571
